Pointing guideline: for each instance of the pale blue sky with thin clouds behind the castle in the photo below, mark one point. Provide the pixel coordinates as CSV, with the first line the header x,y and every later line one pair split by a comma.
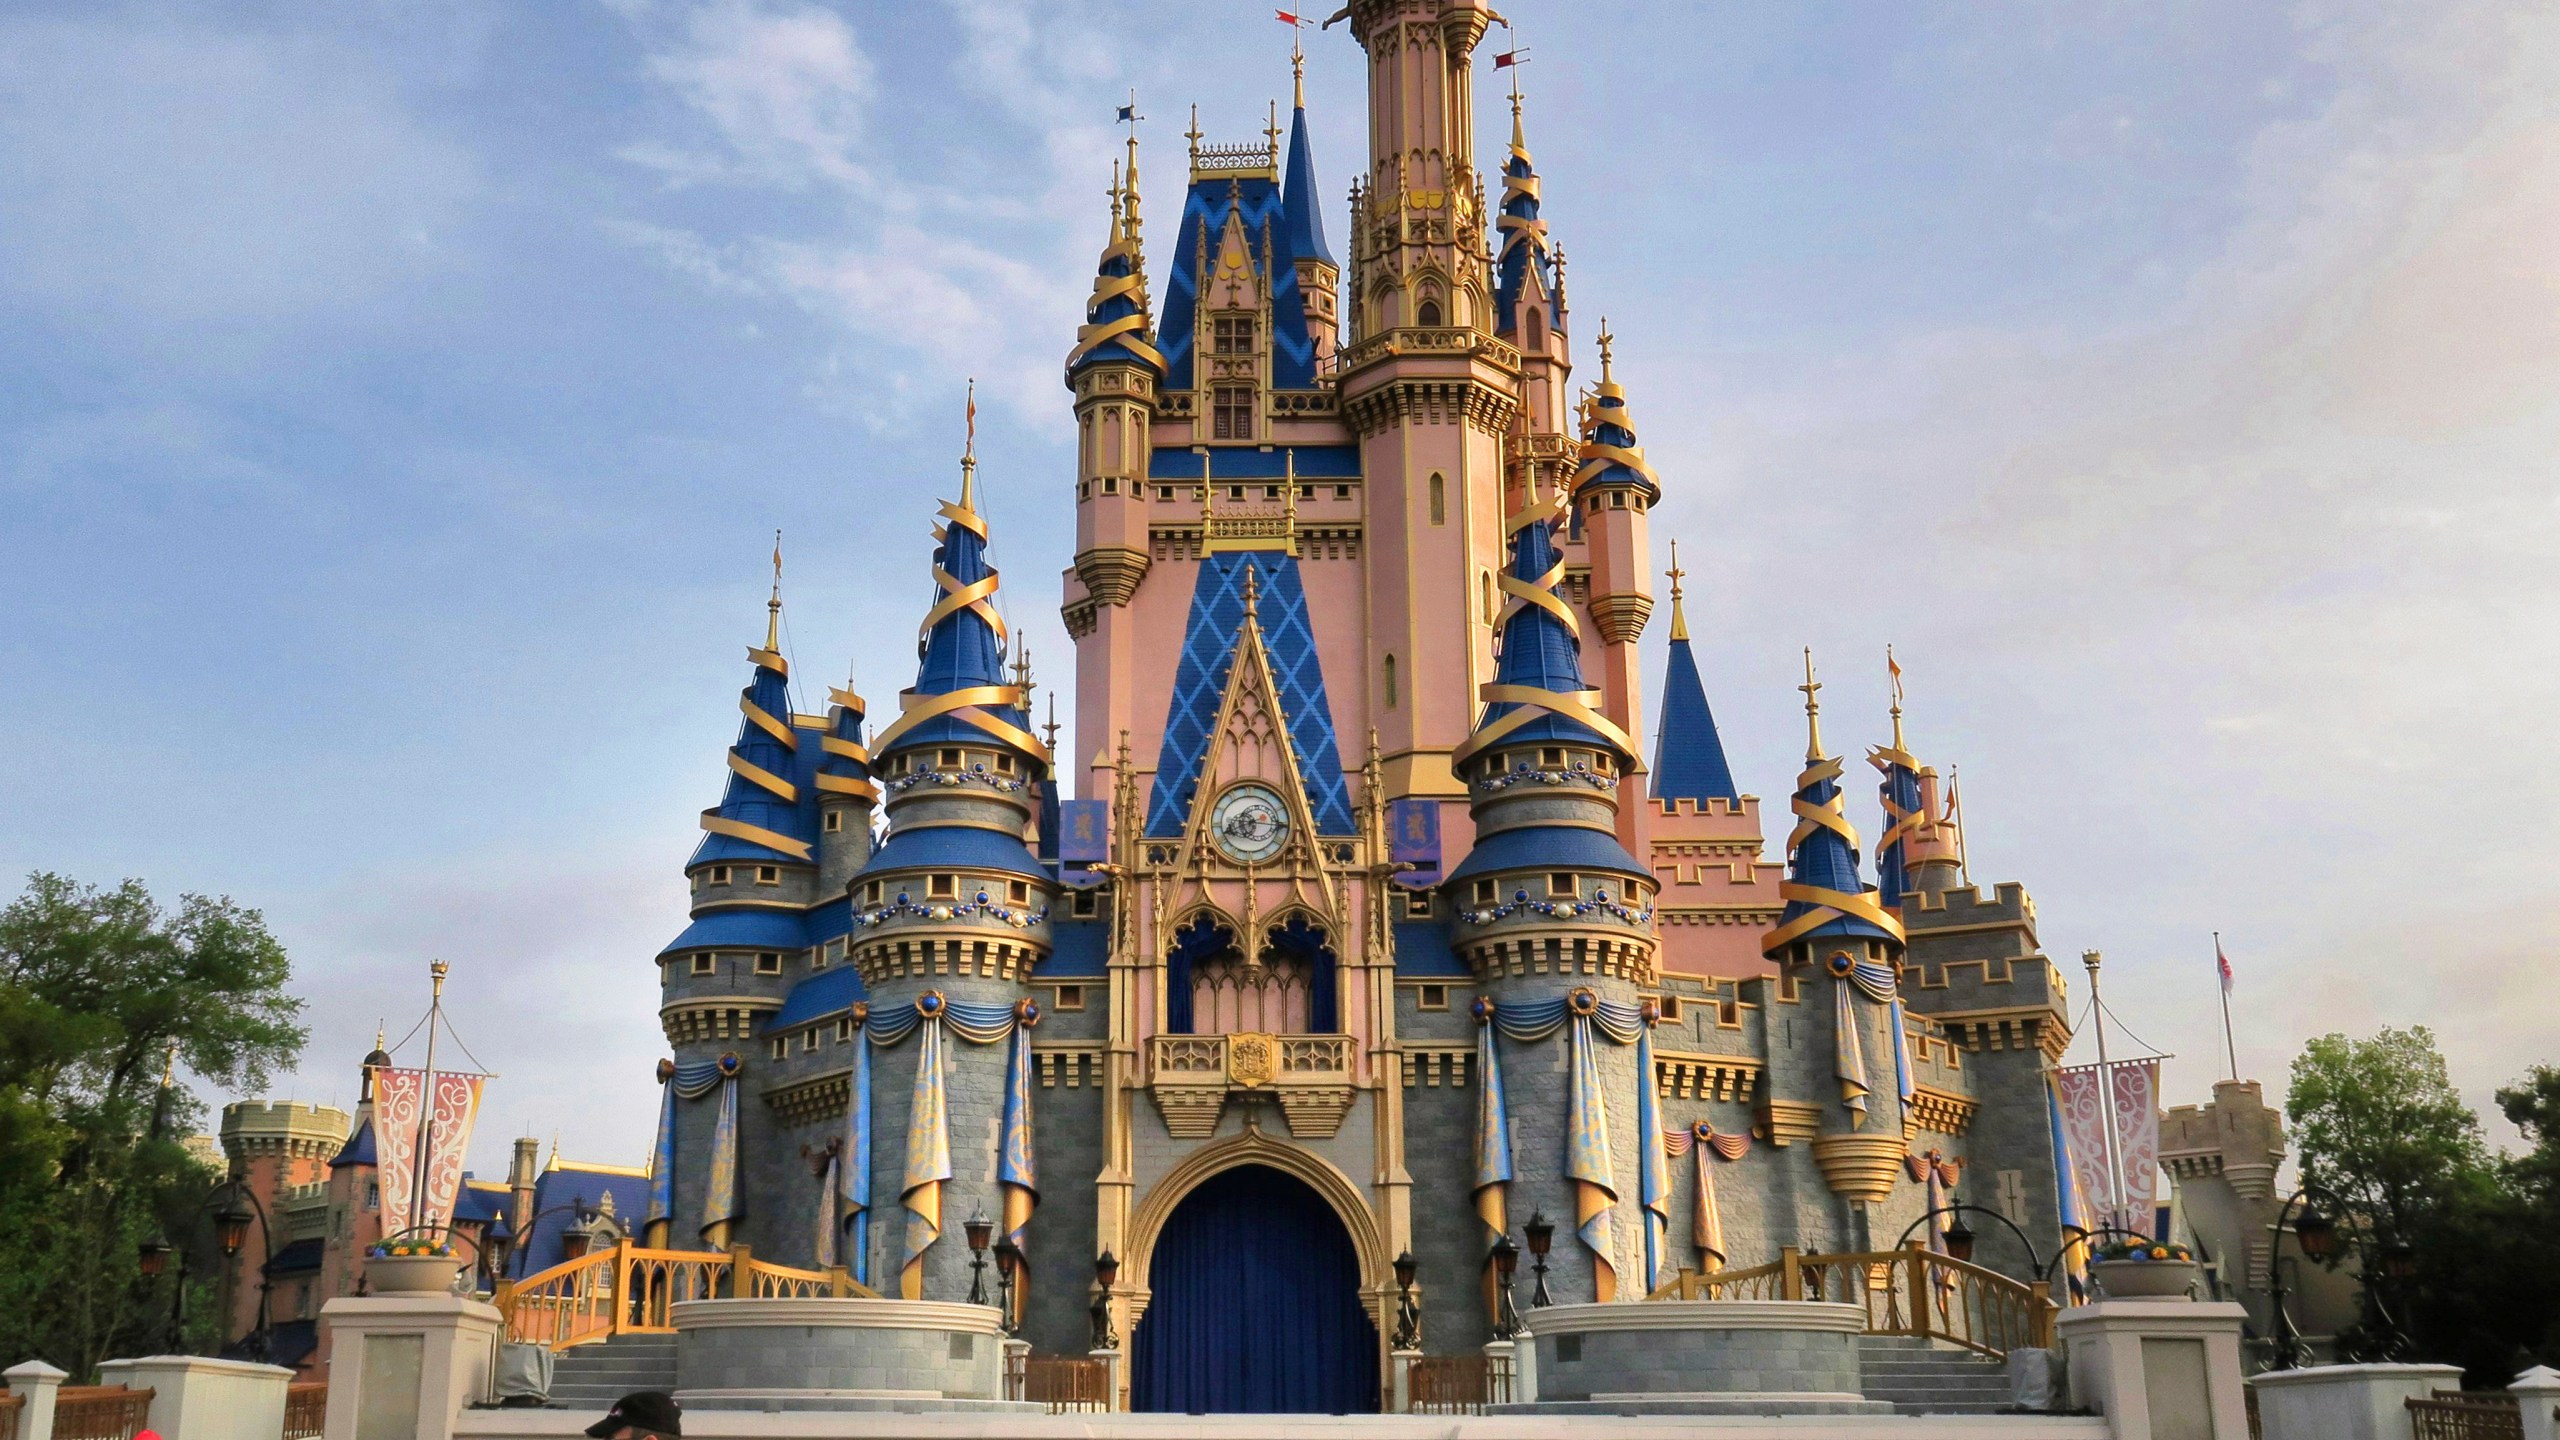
x,y
398,404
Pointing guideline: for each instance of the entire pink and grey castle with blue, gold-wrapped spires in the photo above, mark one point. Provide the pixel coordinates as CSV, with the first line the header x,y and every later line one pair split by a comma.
x,y
1373,924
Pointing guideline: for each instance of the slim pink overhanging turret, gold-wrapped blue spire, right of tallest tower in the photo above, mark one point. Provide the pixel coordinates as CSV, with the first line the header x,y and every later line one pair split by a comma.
x,y
1614,491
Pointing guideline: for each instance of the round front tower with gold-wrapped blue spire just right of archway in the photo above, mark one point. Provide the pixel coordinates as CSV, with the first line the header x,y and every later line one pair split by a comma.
x,y
1555,911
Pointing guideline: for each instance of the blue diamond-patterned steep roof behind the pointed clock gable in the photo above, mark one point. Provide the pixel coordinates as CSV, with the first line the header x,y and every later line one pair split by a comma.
x,y
1199,688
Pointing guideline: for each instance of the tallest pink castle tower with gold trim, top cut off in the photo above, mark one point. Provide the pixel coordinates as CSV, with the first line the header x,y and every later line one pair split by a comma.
x,y
1427,388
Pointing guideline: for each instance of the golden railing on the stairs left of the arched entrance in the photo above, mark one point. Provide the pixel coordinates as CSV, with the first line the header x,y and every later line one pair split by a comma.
x,y
634,1293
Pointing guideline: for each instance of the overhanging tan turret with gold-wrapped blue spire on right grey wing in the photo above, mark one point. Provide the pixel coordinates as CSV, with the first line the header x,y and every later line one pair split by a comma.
x,y
1842,957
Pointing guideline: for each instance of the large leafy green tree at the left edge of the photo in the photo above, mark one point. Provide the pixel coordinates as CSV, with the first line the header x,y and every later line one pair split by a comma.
x,y
101,993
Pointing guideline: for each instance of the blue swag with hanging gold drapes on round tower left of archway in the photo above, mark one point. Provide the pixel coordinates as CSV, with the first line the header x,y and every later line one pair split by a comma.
x,y
928,1121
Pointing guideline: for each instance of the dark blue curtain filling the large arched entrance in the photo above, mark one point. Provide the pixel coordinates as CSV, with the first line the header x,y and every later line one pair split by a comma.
x,y
1256,1305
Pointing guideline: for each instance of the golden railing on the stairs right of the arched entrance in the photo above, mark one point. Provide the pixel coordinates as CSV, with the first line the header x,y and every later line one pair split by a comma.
x,y
1903,1293
